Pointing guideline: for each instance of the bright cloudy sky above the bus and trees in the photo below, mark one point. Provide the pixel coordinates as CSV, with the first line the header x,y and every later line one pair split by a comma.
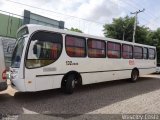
x,y
88,15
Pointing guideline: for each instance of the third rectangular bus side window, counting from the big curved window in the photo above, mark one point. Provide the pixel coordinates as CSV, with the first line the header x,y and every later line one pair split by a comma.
x,y
113,50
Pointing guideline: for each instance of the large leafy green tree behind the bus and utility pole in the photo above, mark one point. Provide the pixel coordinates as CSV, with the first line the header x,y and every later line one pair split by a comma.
x,y
123,28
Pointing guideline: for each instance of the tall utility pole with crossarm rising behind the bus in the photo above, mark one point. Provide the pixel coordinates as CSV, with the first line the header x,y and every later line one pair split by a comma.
x,y
135,22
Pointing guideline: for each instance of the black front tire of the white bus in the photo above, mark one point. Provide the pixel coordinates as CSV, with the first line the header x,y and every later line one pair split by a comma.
x,y
70,84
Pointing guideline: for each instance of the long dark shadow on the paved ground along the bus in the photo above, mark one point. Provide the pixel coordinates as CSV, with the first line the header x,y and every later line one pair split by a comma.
x,y
85,99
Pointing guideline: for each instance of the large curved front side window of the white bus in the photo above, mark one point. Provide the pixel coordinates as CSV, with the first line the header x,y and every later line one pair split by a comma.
x,y
44,49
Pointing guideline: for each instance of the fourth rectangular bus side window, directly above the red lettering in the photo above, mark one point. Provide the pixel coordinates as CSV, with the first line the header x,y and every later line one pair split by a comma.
x,y
127,51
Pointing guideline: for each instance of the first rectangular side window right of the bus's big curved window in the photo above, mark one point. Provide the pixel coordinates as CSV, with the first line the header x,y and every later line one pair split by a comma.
x,y
75,46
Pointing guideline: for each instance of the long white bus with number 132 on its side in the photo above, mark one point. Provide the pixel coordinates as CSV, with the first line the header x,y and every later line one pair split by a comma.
x,y
48,58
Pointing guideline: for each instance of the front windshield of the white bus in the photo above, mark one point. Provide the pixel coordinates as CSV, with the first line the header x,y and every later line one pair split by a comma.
x,y
17,53
